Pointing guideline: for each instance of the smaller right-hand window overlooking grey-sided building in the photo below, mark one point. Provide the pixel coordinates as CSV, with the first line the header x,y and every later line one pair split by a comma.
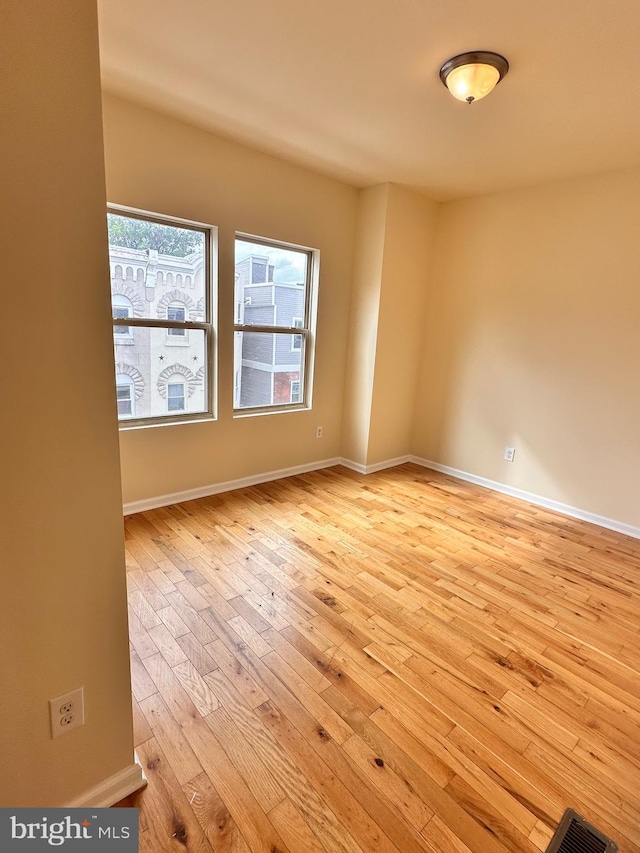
x,y
275,287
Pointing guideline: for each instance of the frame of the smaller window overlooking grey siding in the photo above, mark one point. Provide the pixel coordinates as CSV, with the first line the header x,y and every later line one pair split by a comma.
x,y
305,332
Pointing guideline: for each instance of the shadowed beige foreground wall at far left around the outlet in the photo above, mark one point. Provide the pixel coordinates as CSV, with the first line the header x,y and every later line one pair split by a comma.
x,y
63,619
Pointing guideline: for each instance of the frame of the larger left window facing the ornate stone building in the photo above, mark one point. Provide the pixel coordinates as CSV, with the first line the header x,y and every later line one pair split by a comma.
x,y
207,324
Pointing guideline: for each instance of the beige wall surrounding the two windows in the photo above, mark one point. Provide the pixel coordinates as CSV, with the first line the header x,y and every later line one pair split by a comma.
x,y
159,164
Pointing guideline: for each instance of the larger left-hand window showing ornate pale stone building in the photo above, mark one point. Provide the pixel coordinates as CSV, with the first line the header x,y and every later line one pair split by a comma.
x,y
163,265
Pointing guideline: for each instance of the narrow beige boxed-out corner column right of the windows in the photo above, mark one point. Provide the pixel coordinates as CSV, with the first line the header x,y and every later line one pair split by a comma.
x,y
390,283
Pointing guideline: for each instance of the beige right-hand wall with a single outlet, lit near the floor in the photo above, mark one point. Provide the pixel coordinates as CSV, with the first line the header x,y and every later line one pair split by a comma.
x,y
532,341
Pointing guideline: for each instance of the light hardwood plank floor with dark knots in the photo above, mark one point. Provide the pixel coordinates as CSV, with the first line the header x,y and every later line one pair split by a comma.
x,y
393,663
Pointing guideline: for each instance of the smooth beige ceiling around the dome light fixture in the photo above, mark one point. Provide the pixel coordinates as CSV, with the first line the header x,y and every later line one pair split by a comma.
x,y
351,87
